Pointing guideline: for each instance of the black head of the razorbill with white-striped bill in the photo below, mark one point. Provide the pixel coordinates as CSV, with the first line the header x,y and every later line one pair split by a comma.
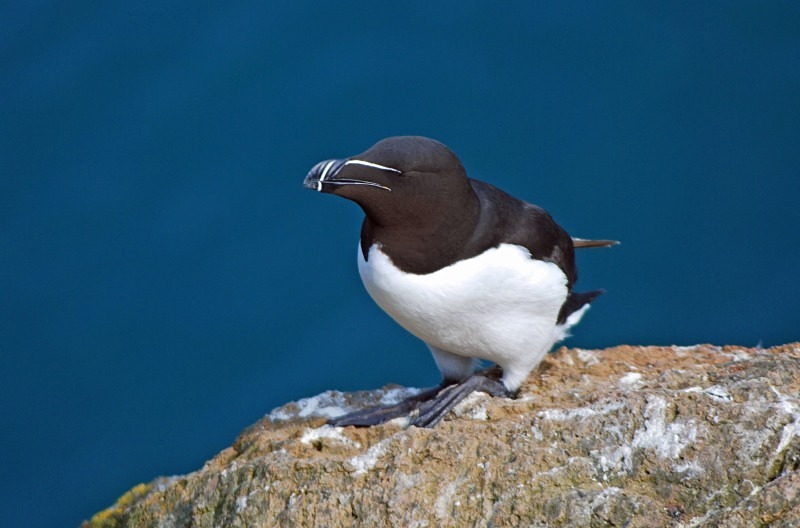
x,y
400,180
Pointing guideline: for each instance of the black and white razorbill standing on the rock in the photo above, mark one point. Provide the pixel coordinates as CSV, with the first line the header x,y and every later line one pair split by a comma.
x,y
470,270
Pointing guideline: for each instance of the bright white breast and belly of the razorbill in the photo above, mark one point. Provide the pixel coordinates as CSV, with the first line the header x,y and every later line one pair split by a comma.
x,y
501,305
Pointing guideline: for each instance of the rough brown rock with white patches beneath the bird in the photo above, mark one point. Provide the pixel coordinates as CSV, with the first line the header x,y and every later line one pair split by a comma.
x,y
628,436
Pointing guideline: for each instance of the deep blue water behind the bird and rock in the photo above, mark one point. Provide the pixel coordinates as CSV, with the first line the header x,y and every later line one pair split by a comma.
x,y
165,280
